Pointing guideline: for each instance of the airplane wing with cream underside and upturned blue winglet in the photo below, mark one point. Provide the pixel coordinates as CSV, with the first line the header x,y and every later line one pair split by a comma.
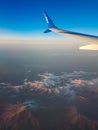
x,y
89,39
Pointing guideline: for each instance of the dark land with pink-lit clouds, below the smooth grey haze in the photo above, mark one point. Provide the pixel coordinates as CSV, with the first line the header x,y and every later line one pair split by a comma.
x,y
65,101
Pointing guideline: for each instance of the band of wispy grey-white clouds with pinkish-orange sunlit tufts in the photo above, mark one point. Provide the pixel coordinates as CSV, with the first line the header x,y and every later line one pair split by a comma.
x,y
50,83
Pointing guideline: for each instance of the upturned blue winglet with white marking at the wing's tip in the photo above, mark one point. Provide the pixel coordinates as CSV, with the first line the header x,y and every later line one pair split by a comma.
x,y
49,22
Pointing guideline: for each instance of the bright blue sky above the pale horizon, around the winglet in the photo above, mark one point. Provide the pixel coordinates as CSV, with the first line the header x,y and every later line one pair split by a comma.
x,y
24,18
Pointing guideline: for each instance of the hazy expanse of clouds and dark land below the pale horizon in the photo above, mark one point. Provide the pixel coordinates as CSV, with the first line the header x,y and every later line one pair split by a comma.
x,y
46,86
